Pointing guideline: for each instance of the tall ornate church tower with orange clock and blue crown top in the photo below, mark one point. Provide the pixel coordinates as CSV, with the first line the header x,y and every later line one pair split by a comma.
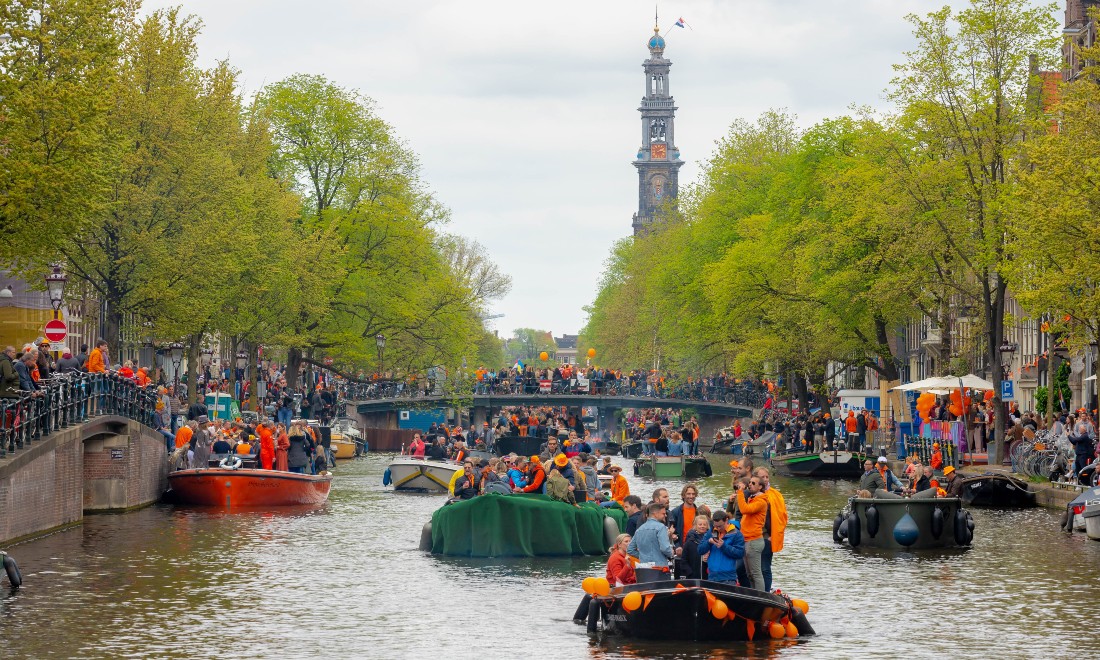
x,y
658,160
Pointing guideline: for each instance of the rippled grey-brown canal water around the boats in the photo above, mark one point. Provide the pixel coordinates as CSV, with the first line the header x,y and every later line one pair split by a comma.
x,y
347,581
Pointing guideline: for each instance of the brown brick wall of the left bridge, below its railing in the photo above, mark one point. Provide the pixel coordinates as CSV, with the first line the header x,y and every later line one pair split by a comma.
x,y
107,465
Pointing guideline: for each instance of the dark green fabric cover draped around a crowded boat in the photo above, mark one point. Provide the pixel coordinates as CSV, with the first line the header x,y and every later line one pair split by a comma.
x,y
522,525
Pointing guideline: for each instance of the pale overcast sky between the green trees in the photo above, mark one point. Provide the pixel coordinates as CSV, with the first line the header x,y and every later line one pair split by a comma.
x,y
525,114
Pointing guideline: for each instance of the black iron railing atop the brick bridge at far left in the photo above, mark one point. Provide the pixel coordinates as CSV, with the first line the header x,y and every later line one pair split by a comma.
x,y
72,399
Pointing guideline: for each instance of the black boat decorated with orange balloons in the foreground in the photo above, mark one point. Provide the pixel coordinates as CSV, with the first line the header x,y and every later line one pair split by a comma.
x,y
692,611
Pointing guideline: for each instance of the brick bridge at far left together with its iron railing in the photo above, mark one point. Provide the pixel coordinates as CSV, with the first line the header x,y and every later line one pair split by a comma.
x,y
59,467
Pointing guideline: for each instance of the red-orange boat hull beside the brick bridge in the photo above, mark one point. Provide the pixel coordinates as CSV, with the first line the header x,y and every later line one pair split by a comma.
x,y
221,487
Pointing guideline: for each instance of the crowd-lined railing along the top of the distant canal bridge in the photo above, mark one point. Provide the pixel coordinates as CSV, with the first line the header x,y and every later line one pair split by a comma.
x,y
394,390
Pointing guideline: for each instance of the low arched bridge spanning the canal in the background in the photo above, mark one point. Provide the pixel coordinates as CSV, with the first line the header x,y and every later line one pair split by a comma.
x,y
383,413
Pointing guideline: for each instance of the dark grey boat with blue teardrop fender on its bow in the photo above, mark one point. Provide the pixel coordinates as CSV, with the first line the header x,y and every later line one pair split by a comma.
x,y
897,523
